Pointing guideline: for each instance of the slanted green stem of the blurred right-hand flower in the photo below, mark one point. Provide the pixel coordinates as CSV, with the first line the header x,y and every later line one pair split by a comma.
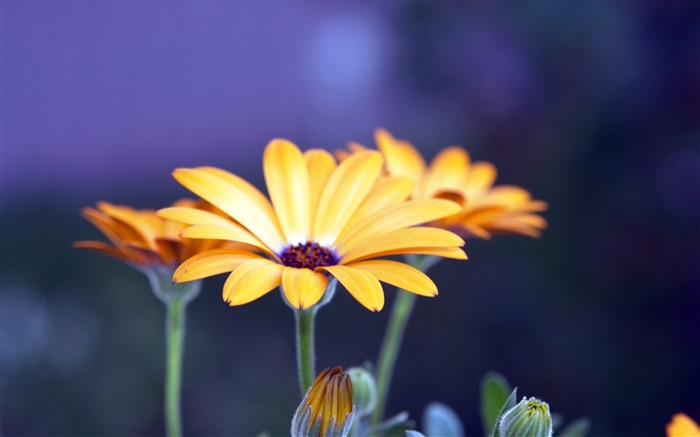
x,y
400,314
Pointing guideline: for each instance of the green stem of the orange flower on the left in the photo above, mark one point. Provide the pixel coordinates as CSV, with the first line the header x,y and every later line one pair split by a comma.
x,y
175,335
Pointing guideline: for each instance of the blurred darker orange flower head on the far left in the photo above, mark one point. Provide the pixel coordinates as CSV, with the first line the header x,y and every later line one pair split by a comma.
x,y
140,237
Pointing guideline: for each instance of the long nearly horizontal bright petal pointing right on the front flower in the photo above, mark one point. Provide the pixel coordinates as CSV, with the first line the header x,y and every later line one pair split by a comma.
x,y
402,240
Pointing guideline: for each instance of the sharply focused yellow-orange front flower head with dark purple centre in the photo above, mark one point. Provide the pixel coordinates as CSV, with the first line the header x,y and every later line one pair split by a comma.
x,y
322,218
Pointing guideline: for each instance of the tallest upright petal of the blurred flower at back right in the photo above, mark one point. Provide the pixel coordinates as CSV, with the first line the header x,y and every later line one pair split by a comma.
x,y
402,159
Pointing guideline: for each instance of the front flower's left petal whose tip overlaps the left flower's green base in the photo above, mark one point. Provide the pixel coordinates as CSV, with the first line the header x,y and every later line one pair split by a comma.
x,y
210,263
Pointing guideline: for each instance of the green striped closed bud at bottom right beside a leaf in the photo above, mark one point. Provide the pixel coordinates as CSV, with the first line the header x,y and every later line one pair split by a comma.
x,y
529,418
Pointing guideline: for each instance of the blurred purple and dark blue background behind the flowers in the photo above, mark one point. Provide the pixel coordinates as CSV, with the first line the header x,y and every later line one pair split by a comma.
x,y
592,106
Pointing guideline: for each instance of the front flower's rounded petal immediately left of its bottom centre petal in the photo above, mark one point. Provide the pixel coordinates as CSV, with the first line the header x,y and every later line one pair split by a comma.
x,y
251,280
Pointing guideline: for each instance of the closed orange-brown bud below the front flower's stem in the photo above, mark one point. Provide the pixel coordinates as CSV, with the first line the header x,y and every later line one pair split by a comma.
x,y
327,409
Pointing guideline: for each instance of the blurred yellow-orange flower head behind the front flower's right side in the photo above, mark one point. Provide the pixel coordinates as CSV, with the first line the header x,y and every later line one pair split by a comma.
x,y
486,209
